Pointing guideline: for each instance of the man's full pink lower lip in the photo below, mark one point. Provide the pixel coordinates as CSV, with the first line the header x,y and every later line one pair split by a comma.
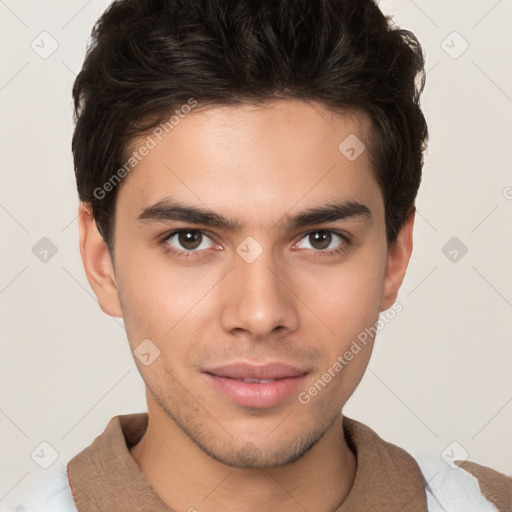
x,y
256,394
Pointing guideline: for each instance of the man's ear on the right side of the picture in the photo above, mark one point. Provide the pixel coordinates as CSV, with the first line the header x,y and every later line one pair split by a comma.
x,y
399,253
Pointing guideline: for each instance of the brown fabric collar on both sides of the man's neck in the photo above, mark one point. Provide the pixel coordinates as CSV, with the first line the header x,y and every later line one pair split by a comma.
x,y
104,476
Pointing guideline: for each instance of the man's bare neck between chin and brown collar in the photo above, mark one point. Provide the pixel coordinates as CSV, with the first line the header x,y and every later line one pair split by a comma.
x,y
188,479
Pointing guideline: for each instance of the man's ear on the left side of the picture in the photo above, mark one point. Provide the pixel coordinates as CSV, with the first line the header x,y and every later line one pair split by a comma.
x,y
97,263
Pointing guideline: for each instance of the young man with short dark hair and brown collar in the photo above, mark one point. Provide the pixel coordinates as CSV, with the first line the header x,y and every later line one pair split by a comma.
x,y
247,174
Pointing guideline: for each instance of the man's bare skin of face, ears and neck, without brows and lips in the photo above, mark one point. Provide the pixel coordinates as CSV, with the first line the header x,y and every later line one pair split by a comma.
x,y
293,304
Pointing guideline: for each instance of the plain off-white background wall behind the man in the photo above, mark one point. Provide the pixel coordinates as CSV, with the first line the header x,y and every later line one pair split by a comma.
x,y
441,370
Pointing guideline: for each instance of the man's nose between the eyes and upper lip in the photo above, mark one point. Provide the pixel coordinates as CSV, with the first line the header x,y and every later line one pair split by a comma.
x,y
258,300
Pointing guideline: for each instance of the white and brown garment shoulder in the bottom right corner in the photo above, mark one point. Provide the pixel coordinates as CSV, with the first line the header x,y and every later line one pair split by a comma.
x,y
463,486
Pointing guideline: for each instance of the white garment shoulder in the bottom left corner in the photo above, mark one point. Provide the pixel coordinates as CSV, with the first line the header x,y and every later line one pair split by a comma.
x,y
51,495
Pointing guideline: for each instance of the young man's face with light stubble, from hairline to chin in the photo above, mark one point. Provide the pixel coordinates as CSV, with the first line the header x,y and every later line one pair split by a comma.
x,y
252,253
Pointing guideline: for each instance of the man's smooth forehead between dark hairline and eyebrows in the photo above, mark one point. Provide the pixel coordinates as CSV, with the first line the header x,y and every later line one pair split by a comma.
x,y
245,160
